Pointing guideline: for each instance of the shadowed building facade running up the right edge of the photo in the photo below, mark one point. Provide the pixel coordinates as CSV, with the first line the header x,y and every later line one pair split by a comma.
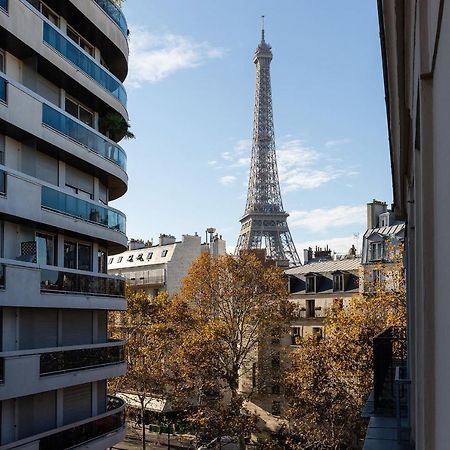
x,y
415,47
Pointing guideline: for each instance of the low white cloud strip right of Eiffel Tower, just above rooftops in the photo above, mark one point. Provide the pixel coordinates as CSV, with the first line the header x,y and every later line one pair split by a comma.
x,y
319,220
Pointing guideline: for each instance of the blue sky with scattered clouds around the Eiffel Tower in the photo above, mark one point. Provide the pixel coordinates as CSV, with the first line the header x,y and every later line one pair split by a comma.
x,y
190,99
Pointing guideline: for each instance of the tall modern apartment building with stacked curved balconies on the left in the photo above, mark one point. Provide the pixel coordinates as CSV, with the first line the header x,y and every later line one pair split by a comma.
x,y
62,65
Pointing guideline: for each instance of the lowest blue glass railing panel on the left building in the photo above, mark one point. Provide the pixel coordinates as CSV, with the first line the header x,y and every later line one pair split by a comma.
x,y
77,207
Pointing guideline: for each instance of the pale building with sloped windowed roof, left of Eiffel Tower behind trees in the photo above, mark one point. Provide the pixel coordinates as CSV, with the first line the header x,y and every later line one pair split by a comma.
x,y
162,267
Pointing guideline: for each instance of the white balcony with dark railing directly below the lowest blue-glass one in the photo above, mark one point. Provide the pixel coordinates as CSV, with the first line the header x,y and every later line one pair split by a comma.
x,y
29,285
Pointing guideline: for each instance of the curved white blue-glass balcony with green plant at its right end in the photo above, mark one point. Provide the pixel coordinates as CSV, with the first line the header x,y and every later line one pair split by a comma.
x,y
51,124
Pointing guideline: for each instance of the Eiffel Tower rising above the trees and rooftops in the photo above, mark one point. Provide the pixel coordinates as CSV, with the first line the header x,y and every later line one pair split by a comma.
x,y
264,223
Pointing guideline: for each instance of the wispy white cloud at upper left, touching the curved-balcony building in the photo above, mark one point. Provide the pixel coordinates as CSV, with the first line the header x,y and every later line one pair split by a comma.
x,y
154,56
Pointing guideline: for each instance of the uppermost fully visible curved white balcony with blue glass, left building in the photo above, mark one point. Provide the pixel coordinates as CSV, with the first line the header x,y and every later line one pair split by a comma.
x,y
88,73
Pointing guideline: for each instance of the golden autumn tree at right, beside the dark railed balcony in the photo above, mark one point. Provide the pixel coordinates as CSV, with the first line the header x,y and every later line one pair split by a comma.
x,y
330,379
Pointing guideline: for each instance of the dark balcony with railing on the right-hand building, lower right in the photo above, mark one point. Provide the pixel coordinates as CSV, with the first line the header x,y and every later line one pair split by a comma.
x,y
388,405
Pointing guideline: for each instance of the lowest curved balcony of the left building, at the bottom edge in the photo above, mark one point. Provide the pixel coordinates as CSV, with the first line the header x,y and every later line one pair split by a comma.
x,y
82,432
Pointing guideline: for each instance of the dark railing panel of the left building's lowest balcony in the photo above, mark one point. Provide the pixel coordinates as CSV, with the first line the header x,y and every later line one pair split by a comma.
x,y
74,437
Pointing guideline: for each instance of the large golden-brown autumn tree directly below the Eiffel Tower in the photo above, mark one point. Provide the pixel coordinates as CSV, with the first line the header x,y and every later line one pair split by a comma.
x,y
229,305
